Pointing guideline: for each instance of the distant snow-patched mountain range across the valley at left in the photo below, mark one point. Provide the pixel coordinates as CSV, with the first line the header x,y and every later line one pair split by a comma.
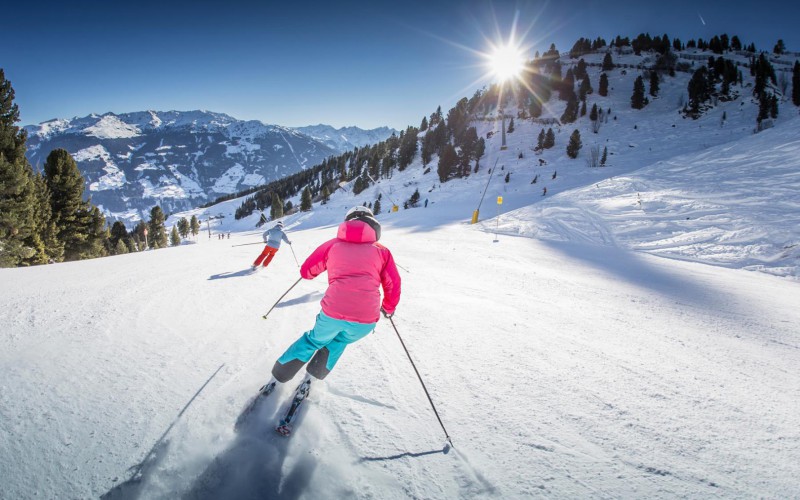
x,y
179,160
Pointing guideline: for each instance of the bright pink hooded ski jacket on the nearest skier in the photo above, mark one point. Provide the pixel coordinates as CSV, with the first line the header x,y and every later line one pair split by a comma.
x,y
357,266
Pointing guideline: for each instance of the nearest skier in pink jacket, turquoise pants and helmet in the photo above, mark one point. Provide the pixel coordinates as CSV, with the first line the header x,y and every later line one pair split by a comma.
x,y
358,266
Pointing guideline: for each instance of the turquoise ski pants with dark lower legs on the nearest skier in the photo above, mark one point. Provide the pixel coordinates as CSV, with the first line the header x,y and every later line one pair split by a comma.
x,y
325,343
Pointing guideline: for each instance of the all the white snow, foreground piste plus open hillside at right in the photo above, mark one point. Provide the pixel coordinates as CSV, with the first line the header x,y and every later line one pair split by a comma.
x,y
610,339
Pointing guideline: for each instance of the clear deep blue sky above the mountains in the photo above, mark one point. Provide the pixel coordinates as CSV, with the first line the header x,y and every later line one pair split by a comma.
x,y
342,62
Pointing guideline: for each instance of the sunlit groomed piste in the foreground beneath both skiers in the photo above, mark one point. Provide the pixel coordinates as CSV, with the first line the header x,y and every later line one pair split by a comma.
x,y
559,369
